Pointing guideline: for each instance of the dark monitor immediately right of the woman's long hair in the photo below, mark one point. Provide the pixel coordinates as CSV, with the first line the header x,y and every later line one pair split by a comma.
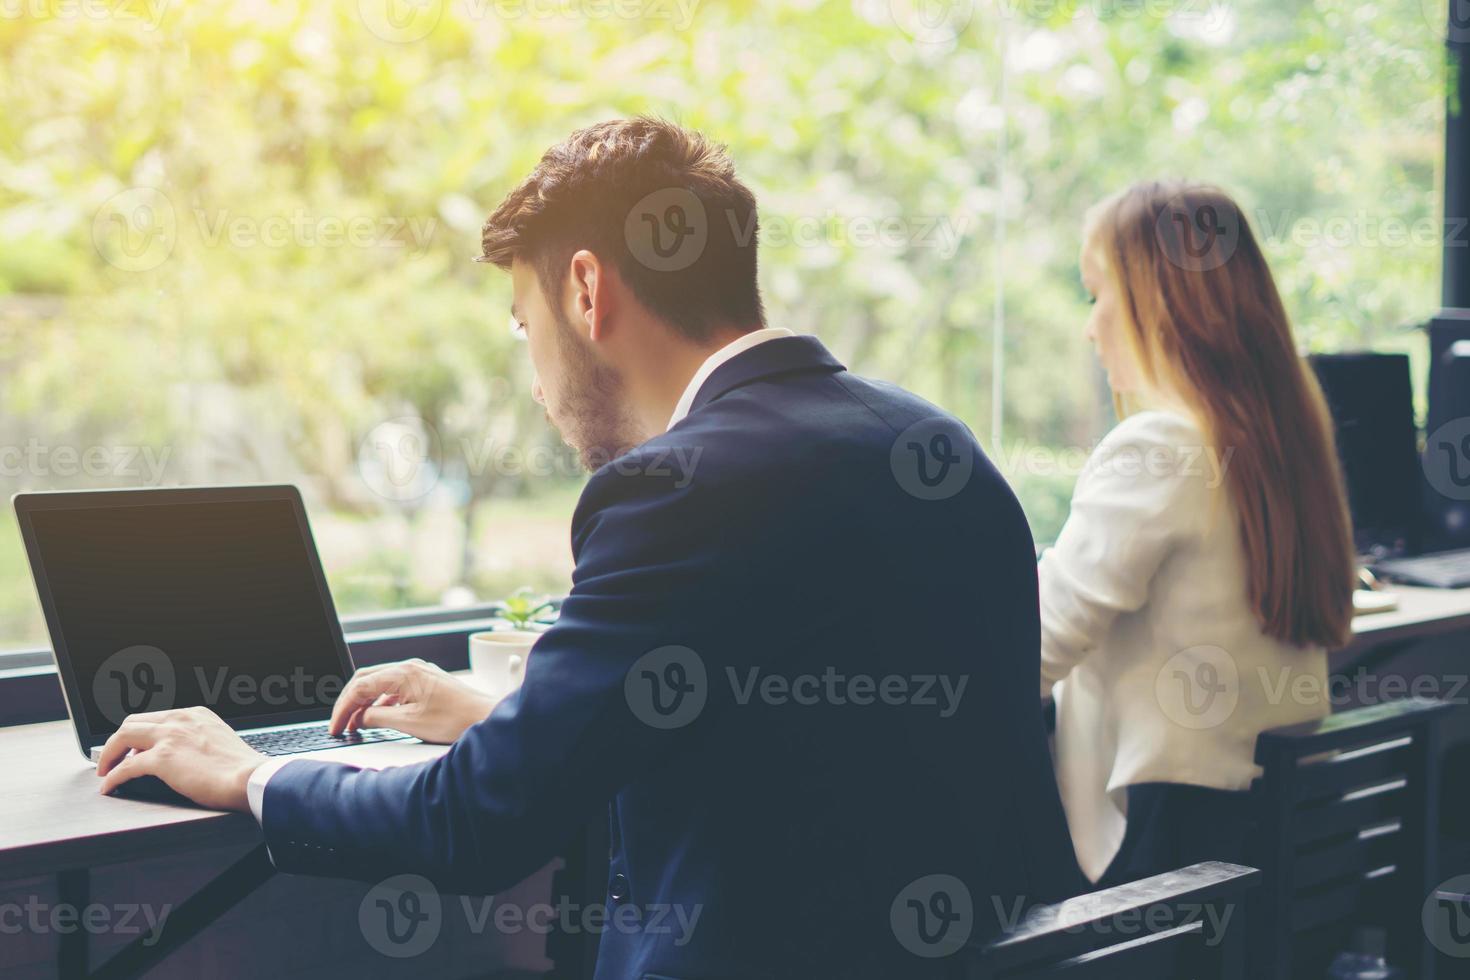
x,y
1372,402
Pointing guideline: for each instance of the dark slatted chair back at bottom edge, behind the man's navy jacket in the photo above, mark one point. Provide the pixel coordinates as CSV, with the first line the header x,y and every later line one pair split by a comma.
x,y
1186,923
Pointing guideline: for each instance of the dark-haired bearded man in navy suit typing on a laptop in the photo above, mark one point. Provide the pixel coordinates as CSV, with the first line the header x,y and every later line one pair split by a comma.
x,y
799,660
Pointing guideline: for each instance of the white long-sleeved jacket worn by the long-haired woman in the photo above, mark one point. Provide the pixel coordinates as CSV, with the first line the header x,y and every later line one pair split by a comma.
x,y
1166,672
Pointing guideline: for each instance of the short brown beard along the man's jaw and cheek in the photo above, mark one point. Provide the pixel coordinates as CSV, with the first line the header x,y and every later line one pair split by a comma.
x,y
593,415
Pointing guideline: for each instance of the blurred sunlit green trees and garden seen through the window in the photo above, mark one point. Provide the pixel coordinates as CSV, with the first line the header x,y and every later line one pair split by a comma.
x,y
237,237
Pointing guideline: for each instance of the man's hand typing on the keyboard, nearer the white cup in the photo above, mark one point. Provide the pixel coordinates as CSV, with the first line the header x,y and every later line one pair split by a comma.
x,y
412,697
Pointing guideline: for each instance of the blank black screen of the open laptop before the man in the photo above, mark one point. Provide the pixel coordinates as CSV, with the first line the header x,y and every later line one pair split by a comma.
x,y
189,603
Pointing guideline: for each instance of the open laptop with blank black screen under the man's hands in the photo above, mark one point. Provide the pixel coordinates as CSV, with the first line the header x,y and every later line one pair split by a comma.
x,y
182,597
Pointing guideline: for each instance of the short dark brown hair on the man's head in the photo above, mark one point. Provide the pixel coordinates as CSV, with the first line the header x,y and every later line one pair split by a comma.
x,y
634,193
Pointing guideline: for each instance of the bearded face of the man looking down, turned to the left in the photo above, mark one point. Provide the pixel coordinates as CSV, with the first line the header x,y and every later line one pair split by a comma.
x,y
584,397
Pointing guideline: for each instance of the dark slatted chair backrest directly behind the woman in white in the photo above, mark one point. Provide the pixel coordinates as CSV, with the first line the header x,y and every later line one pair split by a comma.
x,y
1347,824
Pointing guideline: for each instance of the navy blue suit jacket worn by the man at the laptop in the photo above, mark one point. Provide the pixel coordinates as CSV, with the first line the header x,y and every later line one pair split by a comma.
x,y
797,672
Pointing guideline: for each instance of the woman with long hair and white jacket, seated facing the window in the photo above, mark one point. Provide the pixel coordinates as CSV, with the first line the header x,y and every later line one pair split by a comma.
x,y
1208,565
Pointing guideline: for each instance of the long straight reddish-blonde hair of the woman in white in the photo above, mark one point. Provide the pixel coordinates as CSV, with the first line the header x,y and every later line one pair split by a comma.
x,y
1206,324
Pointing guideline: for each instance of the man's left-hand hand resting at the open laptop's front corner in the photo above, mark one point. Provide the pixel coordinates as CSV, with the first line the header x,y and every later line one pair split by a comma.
x,y
192,750
